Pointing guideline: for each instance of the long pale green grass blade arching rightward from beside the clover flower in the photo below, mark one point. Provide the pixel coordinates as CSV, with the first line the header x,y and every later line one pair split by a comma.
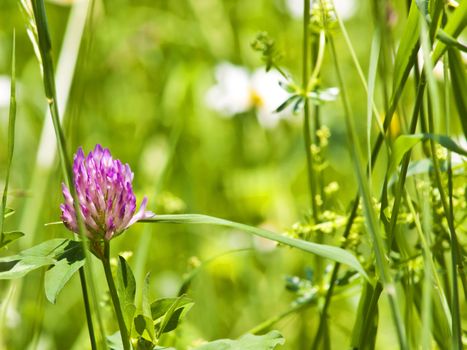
x,y
325,251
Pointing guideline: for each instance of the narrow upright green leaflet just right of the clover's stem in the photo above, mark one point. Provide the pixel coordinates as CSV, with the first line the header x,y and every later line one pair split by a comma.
x,y
126,289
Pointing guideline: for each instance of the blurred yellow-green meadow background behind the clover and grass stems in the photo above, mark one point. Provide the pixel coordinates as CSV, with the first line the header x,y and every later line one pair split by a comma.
x,y
139,88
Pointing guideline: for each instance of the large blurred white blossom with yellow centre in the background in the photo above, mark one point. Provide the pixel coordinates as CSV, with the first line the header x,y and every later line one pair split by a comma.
x,y
238,91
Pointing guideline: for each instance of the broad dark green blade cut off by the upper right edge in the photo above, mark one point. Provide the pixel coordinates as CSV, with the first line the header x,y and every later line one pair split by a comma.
x,y
459,86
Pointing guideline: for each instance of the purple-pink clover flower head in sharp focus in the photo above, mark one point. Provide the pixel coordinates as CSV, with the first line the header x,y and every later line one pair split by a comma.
x,y
105,195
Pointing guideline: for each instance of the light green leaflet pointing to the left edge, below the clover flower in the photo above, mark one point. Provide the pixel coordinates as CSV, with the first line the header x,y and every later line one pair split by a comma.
x,y
44,254
